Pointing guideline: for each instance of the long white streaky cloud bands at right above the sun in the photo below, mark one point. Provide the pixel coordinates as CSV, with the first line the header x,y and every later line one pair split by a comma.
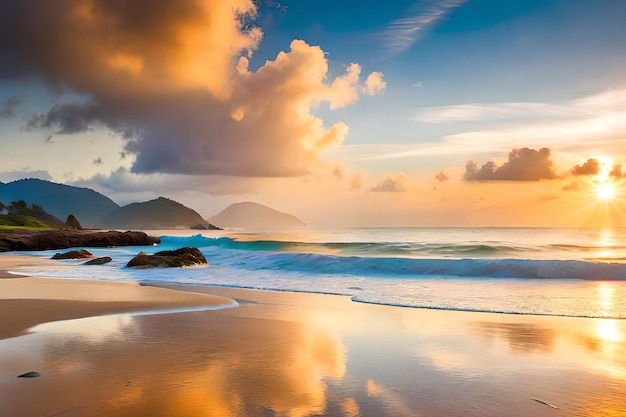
x,y
591,125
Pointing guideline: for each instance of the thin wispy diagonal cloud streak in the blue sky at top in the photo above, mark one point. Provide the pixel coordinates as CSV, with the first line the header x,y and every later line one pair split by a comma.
x,y
402,33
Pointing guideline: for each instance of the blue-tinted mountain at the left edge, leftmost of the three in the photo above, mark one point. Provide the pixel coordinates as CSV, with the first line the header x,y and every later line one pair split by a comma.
x,y
59,200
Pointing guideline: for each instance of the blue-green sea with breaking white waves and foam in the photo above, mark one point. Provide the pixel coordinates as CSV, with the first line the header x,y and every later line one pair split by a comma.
x,y
576,272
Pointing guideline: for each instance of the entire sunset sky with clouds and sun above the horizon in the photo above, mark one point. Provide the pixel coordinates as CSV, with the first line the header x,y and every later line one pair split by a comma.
x,y
343,113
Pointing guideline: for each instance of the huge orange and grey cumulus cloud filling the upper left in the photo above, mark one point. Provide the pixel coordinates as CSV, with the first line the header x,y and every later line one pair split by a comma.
x,y
173,80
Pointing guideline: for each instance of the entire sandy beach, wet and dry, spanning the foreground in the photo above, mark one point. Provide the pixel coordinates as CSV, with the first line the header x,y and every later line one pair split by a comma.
x,y
288,354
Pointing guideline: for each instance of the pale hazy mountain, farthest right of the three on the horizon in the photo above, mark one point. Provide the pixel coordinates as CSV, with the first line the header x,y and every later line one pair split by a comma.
x,y
254,215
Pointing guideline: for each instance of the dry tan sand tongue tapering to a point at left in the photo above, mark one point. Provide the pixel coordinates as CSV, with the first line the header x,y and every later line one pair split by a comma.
x,y
32,300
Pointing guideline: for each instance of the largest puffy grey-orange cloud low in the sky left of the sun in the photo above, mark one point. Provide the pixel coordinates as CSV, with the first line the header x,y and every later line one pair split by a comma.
x,y
524,164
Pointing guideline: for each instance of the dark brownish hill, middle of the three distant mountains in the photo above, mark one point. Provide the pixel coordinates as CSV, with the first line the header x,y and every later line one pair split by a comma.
x,y
161,213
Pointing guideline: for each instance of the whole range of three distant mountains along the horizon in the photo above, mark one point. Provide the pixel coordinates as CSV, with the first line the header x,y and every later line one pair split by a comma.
x,y
95,210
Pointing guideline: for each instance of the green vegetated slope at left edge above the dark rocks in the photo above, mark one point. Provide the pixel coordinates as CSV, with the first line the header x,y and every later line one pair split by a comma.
x,y
18,214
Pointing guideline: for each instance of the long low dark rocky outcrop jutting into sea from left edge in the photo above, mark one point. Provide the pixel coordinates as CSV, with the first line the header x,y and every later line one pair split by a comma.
x,y
25,239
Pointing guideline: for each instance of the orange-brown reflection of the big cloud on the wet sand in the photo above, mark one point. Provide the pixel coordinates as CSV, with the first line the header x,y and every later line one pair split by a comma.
x,y
198,367
